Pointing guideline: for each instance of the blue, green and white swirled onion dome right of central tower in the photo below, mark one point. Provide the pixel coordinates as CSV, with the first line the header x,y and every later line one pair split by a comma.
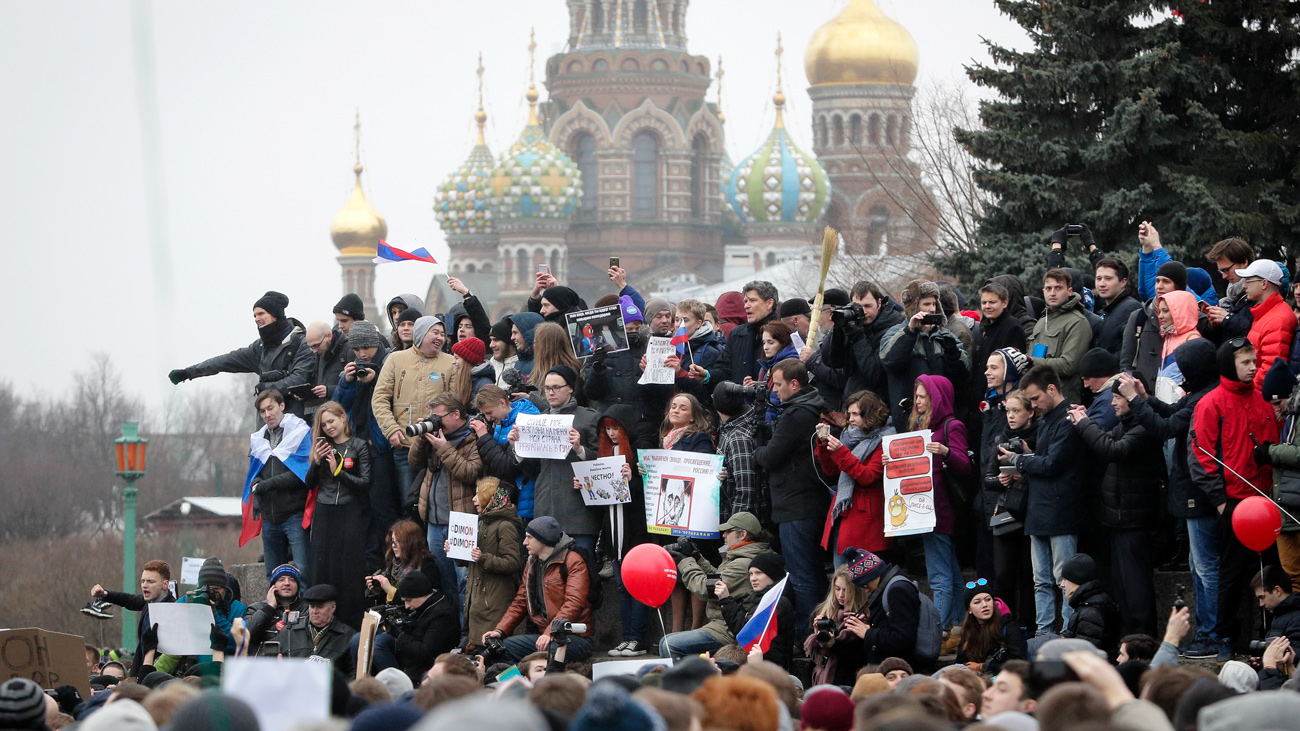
x,y
779,183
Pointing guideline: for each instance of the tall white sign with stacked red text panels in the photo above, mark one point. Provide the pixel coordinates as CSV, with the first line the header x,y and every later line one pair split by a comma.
x,y
909,485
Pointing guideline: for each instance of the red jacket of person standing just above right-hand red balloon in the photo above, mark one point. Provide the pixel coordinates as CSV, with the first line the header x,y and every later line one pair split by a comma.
x,y
1229,422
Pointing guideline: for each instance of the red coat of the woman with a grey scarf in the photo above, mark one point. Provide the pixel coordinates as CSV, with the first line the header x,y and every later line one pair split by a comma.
x,y
864,524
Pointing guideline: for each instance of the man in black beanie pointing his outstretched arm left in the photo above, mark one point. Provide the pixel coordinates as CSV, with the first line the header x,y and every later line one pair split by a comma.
x,y
280,356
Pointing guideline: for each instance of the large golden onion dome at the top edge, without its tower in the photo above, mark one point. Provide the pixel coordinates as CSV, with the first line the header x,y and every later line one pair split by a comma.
x,y
863,46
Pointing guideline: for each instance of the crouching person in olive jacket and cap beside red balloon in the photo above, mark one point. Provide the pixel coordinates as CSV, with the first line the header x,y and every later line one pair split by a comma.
x,y
743,540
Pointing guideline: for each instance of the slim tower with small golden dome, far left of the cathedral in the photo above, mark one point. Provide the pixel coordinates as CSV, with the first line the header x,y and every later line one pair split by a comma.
x,y
357,232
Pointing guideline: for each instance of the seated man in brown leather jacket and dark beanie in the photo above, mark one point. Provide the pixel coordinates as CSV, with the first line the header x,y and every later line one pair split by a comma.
x,y
552,599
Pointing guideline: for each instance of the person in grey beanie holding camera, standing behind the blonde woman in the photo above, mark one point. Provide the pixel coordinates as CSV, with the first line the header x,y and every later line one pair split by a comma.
x,y
354,393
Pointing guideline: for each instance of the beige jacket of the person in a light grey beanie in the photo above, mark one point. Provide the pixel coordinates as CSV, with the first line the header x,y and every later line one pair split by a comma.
x,y
406,387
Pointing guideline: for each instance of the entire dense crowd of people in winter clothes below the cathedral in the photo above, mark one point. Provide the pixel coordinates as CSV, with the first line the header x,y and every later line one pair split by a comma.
x,y
1082,431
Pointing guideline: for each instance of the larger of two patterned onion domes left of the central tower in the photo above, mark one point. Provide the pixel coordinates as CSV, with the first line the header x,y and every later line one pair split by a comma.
x,y
535,179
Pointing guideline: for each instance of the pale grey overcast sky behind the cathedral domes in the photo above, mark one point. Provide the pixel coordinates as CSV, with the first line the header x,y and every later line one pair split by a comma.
x,y
255,105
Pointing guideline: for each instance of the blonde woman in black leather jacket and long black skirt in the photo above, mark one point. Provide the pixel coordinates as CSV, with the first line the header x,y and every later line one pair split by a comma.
x,y
340,485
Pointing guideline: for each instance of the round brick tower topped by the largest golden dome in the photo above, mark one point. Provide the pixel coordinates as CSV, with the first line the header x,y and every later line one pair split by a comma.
x,y
863,66
